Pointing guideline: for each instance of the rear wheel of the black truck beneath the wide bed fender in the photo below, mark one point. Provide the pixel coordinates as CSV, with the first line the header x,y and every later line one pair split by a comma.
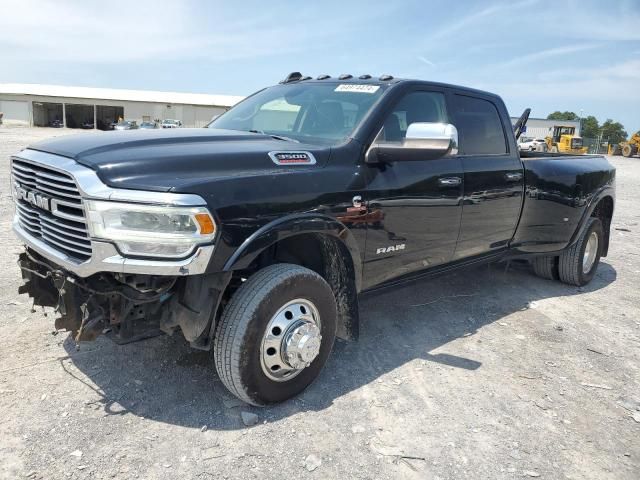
x,y
578,265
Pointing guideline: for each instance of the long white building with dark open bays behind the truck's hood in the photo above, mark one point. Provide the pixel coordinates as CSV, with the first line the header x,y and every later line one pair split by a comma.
x,y
72,107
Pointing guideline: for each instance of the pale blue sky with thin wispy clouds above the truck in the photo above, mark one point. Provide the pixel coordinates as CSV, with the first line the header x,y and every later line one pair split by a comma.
x,y
581,56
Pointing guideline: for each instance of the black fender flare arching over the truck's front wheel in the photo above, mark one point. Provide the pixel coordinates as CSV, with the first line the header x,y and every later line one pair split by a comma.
x,y
291,226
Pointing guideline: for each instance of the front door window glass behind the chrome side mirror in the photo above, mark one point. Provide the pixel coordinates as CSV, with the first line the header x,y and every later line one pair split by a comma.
x,y
413,107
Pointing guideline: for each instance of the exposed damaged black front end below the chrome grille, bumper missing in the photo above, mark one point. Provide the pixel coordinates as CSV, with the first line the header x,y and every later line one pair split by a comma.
x,y
126,307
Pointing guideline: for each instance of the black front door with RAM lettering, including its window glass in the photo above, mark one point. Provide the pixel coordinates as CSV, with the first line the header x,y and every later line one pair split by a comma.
x,y
418,203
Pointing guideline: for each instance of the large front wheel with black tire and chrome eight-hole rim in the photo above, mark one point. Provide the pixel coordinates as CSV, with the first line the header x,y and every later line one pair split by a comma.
x,y
275,334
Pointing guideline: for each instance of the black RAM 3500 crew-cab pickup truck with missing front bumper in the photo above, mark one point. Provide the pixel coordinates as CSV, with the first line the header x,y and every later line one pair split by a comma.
x,y
255,236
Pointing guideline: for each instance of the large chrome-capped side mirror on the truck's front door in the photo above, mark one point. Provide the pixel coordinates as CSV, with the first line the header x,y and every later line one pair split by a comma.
x,y
423,141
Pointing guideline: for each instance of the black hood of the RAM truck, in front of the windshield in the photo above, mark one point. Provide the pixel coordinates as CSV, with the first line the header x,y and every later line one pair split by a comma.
x,y
177,159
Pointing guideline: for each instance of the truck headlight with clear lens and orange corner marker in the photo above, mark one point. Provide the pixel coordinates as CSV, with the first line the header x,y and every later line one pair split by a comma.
x,y
150,230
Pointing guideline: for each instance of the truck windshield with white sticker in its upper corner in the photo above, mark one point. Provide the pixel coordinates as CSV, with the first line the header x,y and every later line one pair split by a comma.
x,y
324,113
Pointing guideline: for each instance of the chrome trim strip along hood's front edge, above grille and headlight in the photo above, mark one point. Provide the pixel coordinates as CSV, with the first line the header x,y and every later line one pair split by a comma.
x,y
91,187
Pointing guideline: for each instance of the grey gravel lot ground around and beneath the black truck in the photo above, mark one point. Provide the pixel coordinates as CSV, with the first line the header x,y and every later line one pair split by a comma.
x,y
490,373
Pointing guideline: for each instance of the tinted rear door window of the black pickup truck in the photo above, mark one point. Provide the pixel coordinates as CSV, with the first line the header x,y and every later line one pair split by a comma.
x,y
479,127
